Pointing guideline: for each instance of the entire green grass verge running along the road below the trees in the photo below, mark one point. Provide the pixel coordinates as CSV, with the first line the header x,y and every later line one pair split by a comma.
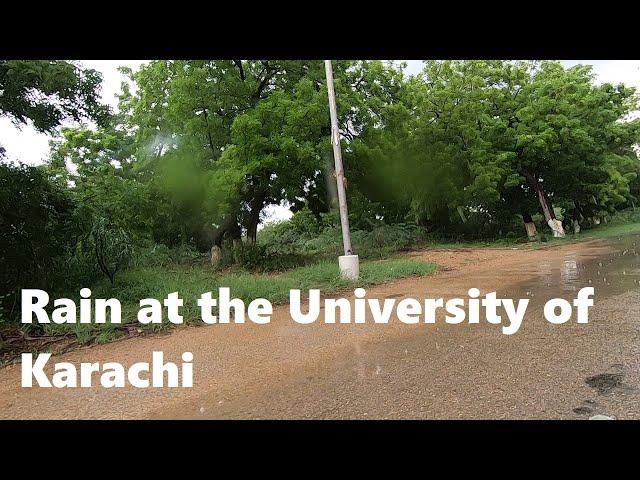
x,y
191,280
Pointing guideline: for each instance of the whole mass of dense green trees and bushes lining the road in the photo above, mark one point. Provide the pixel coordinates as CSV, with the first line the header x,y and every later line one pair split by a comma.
x,y
197,150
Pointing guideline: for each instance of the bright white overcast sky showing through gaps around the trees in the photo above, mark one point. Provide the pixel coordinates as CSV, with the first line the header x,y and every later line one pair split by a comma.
x,y
29,146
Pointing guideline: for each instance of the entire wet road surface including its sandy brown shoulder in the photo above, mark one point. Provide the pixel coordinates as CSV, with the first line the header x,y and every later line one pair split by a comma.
x,y
285,370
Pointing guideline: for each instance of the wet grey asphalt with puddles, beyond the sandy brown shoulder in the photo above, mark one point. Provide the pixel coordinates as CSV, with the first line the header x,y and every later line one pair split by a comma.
x,y
475,372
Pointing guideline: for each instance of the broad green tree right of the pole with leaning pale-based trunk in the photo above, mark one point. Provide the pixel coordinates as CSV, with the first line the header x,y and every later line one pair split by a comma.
x,y
488,137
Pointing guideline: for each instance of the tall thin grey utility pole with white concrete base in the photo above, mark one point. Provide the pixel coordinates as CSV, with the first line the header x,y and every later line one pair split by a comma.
x,y
349,264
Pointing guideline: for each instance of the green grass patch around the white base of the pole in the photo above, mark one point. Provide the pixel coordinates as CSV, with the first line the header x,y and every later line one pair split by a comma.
x,y
192,281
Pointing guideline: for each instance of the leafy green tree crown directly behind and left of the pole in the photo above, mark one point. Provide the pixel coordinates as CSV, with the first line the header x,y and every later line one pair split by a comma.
x,y
256,132
